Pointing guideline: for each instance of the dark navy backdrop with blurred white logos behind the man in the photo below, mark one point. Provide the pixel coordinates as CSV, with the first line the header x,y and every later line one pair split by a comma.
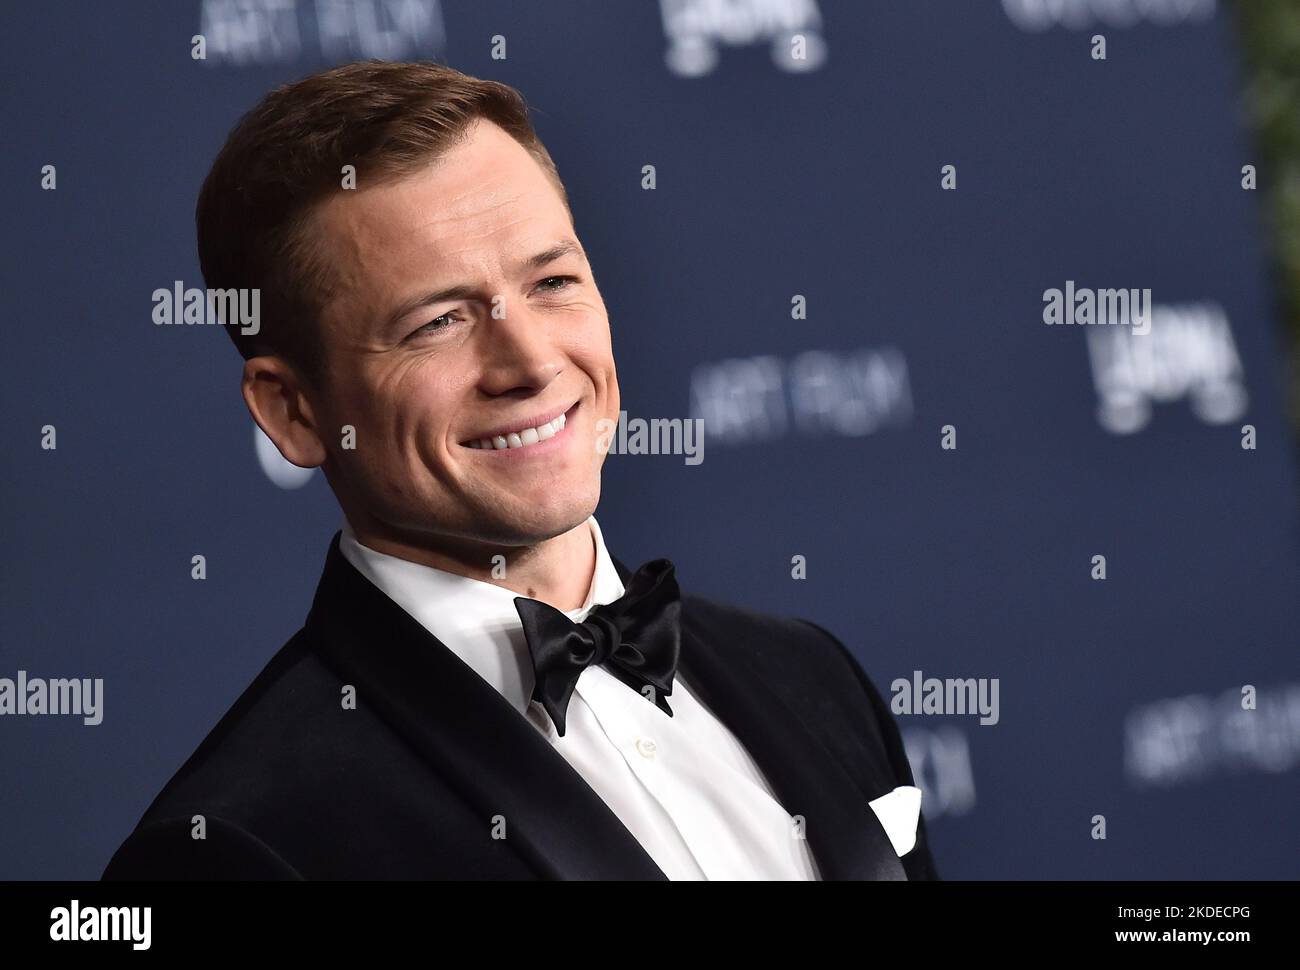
x,y
944,324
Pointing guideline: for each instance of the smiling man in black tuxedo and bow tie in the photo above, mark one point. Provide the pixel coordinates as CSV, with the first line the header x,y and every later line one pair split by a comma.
x,y
482,691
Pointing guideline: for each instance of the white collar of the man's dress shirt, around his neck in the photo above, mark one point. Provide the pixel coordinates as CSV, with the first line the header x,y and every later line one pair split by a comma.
x,y
475,620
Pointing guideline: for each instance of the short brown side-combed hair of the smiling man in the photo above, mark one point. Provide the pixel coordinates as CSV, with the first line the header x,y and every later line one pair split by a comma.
x,y
288,155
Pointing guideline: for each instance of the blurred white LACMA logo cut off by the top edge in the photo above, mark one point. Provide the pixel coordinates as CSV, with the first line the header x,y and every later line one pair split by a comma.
x,y
697,29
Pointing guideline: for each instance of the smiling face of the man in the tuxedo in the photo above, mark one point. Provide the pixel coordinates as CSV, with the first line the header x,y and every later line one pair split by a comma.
x,y
424,375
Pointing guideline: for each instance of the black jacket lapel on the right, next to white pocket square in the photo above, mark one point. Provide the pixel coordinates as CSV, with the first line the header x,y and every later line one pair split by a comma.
x,y
847,838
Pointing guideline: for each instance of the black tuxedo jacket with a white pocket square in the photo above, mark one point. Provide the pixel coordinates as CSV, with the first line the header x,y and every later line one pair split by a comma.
x,y
406,786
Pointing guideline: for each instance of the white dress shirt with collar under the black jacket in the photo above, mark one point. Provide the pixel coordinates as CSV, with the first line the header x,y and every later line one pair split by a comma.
x,y
684,787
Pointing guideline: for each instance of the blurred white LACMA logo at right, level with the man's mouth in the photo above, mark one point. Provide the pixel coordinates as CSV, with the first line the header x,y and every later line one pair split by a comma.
x,y
1188,354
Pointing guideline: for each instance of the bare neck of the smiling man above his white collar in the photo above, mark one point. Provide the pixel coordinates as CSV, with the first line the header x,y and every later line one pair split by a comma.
x,y
557,571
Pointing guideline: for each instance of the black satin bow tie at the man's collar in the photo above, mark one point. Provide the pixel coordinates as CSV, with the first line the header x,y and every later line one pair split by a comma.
x,y
638,638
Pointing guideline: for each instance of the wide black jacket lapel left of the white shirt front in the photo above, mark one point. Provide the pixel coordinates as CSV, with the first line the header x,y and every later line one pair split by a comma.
x,y
471,735
